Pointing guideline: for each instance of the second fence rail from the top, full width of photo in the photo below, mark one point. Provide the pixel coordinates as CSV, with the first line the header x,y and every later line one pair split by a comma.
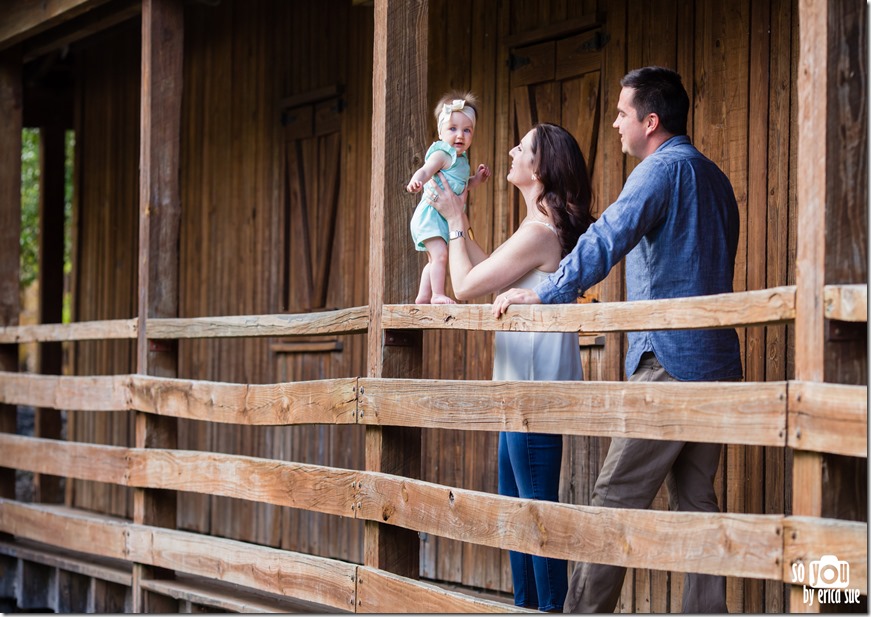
x,y
821,417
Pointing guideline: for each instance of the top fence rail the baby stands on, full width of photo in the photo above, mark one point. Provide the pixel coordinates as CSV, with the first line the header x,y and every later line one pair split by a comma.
x,y
748,308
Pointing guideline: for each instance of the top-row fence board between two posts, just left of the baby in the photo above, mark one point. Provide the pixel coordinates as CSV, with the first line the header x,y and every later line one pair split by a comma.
x,y
341,321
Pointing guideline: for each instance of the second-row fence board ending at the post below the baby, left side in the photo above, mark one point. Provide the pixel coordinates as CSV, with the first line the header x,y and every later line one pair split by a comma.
x,y
324,401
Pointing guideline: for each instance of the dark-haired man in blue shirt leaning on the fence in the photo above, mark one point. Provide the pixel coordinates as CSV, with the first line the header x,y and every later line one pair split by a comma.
x,y
676,222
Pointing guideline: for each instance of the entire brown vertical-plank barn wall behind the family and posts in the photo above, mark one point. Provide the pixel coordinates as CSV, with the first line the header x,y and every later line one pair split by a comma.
x,y
241,61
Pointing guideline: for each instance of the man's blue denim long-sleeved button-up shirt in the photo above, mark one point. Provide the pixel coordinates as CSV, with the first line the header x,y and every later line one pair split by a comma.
x,y
676,222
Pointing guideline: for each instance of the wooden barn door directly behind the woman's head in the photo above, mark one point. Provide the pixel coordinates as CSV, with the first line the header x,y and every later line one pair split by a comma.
x,y
557,81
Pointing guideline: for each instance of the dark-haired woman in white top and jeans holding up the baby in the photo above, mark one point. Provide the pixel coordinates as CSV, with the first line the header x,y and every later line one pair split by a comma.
x,y
549,170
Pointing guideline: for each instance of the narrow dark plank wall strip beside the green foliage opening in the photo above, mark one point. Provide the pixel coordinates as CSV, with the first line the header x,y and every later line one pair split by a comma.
x,y
106,215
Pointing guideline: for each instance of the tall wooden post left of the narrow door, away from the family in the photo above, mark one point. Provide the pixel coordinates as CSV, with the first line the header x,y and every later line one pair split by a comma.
x,y
159,219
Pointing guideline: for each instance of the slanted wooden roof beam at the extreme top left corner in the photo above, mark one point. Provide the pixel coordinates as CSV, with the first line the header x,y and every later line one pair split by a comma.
x,y
23,18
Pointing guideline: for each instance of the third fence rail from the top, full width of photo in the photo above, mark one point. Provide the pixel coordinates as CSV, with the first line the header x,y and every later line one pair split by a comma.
x,y
751,546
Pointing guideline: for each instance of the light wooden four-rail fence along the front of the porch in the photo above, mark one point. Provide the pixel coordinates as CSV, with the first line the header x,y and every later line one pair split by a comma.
x,y
805,416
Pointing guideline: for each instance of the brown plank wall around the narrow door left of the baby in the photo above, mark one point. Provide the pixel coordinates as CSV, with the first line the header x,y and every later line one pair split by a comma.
x,y
242,60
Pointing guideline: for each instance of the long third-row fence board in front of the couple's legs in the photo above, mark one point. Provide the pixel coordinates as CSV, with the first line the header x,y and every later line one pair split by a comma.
x,y
728,544
